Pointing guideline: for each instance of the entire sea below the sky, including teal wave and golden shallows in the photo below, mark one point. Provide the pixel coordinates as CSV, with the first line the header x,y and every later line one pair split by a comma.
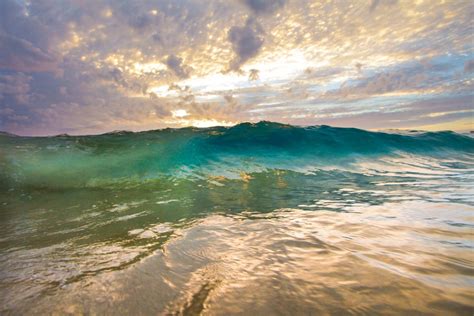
x,y
255,219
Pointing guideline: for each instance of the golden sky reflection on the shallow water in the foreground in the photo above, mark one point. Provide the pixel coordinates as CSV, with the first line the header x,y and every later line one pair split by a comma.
x,y
396,258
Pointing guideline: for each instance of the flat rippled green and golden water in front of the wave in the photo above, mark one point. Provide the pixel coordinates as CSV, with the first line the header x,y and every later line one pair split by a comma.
x,y
393,238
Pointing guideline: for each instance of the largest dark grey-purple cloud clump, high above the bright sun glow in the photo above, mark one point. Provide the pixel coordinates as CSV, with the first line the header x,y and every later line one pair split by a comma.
x,y
246,42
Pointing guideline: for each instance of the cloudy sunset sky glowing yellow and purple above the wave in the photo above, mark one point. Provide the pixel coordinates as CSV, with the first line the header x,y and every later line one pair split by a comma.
x,y
90,66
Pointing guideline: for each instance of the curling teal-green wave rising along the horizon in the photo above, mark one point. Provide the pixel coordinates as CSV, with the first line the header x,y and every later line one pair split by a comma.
x,y
163,155
